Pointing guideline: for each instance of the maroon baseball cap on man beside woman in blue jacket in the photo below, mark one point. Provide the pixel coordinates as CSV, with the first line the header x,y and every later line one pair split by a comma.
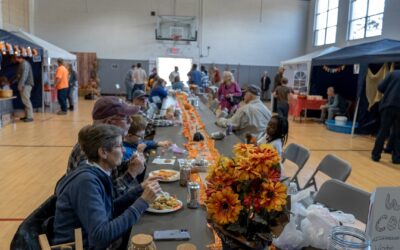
x,y
109,106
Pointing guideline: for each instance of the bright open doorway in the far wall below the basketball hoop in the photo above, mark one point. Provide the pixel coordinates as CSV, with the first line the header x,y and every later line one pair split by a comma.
x,y
165,65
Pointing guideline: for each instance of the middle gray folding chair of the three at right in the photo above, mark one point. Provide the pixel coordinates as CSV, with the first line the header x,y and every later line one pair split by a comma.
x,y
333,167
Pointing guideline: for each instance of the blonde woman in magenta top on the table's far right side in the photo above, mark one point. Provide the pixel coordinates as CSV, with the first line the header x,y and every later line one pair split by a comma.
x,y
227,91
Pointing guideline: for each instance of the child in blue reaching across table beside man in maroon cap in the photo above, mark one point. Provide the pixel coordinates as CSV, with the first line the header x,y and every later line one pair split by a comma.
x,y
134,141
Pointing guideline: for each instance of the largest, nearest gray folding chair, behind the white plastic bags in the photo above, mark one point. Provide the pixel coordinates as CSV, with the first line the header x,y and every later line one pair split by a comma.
x,y
338,195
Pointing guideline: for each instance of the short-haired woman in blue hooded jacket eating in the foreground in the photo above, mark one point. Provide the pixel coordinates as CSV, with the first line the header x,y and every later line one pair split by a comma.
x,y
85,196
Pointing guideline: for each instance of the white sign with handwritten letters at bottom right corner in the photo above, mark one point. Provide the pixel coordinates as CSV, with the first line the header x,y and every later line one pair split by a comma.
x,y
383,225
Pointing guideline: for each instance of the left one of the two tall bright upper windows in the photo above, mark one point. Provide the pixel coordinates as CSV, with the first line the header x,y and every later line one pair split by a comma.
x,y
325,22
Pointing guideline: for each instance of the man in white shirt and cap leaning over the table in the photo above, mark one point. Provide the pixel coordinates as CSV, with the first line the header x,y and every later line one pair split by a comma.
x,y
251,118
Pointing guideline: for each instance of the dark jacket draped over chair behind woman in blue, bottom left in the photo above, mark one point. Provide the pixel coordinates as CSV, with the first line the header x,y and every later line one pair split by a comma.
x,y
27,234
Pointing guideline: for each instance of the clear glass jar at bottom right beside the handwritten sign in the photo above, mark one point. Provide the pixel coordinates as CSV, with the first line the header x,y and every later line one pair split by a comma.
x,y
348,238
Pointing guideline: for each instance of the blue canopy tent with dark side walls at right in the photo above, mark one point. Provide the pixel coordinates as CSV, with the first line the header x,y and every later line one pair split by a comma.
x,y
350,84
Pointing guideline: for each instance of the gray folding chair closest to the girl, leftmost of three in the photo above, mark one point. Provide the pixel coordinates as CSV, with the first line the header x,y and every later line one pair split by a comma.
x,y
298,155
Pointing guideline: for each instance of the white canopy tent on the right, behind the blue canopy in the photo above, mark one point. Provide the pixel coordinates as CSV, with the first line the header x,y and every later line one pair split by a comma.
x,y
298,70
